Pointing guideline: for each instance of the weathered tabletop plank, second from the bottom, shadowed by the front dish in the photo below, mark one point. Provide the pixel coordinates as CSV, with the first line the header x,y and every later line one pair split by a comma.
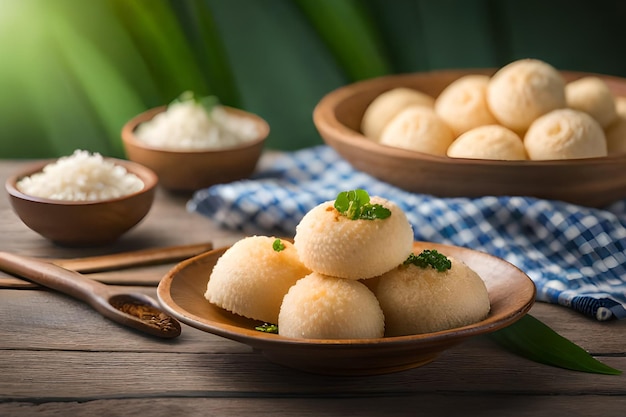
x,y
52,376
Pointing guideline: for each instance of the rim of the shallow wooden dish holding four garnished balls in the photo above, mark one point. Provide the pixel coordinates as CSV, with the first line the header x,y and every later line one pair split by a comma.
x,y
268,341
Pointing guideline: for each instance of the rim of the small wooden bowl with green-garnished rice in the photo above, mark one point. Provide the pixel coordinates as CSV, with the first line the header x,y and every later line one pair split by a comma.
x,y
129,137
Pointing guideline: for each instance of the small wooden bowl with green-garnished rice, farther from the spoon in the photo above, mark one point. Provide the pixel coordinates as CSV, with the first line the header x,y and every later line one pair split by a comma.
x,y
190,170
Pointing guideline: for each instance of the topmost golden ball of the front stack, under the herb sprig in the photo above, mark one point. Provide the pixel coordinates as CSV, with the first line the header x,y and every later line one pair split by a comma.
x,y
332,244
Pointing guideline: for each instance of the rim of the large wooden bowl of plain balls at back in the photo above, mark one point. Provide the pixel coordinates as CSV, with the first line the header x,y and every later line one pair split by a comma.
x,y
325,119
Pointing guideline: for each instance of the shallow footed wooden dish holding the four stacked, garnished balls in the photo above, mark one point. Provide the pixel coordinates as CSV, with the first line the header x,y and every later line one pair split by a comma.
x,y
511,293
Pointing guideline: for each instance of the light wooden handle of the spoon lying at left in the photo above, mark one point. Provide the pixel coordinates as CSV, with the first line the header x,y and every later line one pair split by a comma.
x,y
52,276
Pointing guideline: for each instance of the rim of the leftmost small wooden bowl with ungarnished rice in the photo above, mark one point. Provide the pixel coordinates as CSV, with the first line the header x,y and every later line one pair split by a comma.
x,y
147,176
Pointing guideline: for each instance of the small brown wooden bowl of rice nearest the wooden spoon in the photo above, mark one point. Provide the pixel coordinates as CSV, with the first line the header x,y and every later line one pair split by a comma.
x,y
83,223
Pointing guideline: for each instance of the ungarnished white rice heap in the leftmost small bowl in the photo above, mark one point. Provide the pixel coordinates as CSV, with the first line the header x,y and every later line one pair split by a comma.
x,y
81,177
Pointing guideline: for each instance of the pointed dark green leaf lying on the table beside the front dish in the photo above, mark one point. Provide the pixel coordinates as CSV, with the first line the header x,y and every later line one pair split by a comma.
x,y
534,340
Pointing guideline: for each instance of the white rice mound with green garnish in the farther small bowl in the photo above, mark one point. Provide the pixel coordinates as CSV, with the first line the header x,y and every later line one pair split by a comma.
x,y
187,125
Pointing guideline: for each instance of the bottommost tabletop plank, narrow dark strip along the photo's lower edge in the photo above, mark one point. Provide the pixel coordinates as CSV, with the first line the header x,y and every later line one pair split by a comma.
x,y
441,404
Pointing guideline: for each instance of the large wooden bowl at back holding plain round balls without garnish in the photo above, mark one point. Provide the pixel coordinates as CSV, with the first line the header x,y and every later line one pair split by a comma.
x,y
592,182
